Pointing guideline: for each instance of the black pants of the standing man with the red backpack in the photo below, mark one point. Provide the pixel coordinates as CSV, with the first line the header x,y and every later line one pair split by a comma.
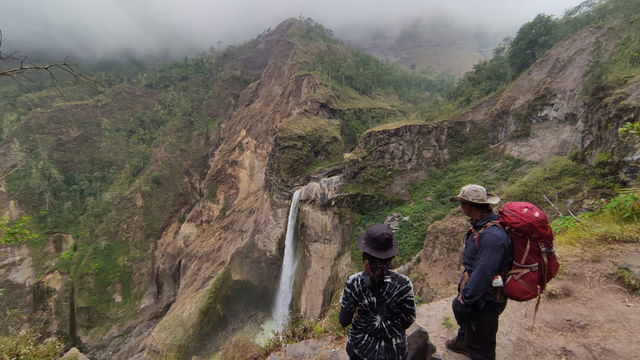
x,y
480,331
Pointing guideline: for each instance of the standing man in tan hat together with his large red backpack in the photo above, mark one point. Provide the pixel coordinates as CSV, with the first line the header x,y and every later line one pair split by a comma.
x,y
508,255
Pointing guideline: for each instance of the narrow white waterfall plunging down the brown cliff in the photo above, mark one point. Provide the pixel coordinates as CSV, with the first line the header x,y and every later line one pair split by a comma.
x,y
285,287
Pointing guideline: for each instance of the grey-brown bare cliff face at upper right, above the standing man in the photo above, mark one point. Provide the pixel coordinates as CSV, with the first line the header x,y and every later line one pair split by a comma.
x,y
541,115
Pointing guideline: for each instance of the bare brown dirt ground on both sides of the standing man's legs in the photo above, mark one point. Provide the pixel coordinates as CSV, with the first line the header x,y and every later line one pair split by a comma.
x,y
587,316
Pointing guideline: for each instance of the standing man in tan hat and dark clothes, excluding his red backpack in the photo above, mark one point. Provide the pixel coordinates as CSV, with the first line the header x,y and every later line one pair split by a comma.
x,y
487,252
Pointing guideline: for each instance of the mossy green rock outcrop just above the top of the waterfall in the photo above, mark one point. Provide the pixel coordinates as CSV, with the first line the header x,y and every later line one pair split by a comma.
x,y
307,143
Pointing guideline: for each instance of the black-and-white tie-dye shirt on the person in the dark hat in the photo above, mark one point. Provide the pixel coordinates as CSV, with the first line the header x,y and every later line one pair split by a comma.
x,y
372,336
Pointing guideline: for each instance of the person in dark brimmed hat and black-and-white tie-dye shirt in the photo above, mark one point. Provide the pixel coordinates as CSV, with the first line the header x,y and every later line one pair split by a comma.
x,y
383,299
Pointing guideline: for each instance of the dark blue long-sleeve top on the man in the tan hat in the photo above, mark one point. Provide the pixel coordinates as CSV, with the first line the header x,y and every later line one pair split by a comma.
x,y
492,254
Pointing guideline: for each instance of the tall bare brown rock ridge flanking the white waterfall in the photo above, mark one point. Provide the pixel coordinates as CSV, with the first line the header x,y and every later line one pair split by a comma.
x,y
228,250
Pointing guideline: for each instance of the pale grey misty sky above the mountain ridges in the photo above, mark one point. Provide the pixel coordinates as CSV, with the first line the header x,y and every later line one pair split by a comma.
x,y
106,28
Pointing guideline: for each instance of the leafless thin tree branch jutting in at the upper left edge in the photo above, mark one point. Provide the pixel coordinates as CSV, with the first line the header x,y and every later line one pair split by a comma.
x,y
18,68
